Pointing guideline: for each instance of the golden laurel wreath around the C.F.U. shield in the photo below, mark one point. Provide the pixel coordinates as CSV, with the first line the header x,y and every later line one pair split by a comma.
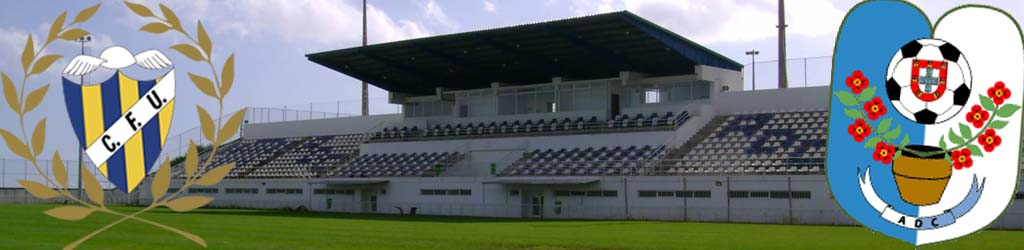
x,y
34,63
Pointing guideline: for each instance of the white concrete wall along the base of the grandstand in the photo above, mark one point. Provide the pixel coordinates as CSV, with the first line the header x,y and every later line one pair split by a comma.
x,y
496,200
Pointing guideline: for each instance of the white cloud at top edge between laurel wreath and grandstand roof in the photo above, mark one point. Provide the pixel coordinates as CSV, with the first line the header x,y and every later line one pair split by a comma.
x,y
302,22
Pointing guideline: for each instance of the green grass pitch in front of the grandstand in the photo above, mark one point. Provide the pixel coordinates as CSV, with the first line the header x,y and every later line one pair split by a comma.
x,y
25,227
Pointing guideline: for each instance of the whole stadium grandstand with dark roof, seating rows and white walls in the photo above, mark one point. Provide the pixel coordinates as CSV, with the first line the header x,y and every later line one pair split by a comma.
x,y
603,117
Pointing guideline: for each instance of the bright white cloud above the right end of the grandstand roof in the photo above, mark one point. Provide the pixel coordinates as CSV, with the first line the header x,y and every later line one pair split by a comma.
x,y
728,21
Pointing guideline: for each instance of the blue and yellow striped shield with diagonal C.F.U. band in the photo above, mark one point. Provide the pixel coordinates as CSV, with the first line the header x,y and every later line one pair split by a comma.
x,y
122,123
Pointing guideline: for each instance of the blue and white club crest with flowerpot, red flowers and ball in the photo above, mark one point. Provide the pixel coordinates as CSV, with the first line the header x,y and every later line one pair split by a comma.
x,y
925,124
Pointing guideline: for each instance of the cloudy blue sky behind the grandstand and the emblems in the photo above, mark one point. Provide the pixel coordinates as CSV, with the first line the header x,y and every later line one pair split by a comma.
x,y
272,37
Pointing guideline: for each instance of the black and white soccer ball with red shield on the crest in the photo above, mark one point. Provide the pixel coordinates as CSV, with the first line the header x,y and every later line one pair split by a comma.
x,y
928,81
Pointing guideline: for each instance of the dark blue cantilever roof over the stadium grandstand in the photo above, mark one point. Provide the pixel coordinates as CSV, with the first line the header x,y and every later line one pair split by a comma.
x,y
587,48
